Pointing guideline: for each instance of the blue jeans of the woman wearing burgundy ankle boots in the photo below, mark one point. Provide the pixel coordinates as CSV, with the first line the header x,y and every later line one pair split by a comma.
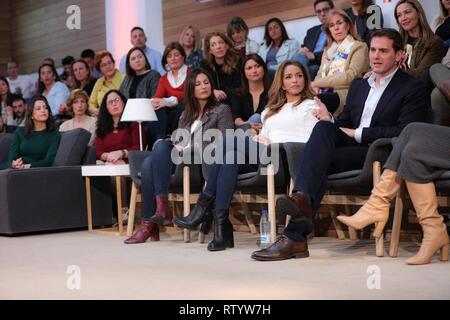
x,y
155,176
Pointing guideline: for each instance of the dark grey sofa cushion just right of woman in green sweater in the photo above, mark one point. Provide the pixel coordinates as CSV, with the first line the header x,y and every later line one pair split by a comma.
x,y
72,147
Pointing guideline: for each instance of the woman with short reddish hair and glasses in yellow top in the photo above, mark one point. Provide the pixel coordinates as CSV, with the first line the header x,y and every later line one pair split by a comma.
x,y
111,80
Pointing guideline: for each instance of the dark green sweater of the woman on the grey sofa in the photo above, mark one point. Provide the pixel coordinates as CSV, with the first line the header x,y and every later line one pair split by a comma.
x,y
39,149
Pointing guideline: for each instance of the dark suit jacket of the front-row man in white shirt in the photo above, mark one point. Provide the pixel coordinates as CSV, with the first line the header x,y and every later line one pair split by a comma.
x,y
403,101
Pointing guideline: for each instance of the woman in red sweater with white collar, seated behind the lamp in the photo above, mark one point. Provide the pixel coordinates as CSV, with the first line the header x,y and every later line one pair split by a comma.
x,y
169,97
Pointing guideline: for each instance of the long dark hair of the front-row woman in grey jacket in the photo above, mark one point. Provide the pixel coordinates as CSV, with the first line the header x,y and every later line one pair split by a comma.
x,y
192,107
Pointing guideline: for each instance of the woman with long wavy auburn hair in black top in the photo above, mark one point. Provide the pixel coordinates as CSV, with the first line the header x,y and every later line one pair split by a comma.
x,y
224,65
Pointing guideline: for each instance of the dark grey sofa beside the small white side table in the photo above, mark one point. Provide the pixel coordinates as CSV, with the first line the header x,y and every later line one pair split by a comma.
x,y
52,198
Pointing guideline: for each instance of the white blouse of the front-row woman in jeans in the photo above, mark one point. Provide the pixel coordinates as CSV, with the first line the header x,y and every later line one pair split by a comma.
x,y
291,123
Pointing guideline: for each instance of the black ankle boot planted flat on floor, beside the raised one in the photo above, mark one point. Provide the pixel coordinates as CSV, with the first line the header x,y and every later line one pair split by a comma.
x,y
223,231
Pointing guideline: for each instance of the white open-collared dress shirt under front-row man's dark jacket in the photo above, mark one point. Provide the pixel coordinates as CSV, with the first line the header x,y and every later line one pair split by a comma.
x,y
372,100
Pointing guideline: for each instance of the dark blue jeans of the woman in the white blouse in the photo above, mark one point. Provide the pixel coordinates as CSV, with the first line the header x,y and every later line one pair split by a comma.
x,y
222,175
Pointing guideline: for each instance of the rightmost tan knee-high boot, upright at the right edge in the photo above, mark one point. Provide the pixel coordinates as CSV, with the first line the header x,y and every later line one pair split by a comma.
x,y
435,236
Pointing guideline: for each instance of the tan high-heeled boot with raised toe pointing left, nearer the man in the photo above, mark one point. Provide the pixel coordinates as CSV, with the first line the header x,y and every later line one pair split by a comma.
x,y
376,209
